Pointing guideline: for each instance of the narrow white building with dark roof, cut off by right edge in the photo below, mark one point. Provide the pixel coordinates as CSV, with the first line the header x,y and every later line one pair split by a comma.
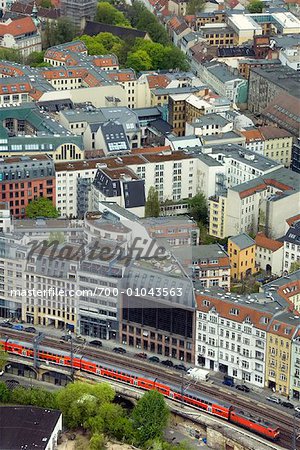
x,y
291,246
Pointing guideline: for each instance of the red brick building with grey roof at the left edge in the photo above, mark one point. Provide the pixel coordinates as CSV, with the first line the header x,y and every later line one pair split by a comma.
x,y
24,179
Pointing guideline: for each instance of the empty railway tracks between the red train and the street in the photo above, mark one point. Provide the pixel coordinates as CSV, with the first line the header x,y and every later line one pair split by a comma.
x,y
281,419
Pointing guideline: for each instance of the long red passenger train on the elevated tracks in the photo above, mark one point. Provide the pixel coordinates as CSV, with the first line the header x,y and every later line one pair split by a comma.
x,y
190,397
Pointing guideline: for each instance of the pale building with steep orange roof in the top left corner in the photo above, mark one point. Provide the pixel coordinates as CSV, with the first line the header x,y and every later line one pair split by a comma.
x,y
20,34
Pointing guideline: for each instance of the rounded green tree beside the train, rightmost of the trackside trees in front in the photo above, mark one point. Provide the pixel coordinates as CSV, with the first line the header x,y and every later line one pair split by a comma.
x,y
150,417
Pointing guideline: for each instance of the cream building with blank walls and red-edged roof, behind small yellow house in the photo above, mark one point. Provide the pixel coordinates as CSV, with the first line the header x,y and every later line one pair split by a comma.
x,y
261,204
